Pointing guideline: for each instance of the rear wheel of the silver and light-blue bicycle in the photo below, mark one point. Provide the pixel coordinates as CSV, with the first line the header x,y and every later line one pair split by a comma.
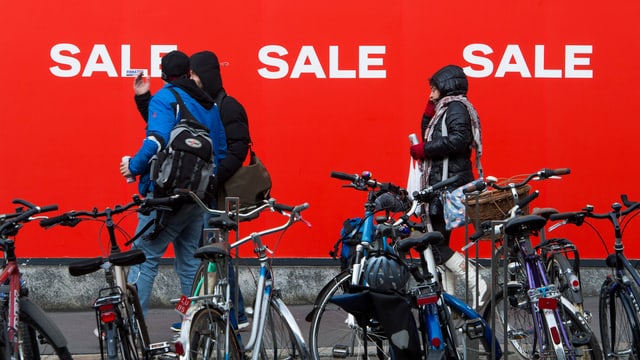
x,y
207,337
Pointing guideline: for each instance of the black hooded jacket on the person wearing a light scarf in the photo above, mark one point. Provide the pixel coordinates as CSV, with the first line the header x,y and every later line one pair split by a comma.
x,y
451,80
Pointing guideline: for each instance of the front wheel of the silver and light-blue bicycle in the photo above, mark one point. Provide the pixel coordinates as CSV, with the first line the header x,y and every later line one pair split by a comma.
x,y
280,340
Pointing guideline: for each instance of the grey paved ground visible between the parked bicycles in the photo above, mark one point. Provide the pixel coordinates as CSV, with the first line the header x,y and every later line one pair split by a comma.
x,y
78,326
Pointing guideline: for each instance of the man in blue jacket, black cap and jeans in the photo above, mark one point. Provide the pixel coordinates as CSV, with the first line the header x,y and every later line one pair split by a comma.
x,y
183,226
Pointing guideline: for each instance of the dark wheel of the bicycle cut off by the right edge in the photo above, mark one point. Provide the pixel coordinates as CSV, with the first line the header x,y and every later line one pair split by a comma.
x,y
619,325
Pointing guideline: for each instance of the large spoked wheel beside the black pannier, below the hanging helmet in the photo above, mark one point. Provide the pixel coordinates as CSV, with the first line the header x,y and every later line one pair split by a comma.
x,y
333,332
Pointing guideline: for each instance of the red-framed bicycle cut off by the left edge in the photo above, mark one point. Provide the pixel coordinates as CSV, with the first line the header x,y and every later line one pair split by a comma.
x,y
25,330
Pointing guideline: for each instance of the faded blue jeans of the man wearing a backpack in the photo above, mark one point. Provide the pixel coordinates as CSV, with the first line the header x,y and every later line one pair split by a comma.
x,y
183,230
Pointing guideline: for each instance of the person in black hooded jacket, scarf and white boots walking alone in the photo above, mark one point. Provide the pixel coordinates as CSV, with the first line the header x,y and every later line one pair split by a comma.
x,y
451,130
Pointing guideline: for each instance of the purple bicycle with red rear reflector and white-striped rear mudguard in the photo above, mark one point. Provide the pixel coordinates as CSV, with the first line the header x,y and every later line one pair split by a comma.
x,y
536,320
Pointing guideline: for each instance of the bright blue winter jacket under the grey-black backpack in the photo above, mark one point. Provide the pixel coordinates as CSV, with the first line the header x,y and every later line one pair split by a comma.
x,y
162,119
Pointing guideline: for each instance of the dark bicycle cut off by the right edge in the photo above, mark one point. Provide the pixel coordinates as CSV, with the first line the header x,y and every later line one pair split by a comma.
x,y
619,300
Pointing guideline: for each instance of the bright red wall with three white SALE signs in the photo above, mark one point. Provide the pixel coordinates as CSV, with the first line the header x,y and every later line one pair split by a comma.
x,y
554,83
